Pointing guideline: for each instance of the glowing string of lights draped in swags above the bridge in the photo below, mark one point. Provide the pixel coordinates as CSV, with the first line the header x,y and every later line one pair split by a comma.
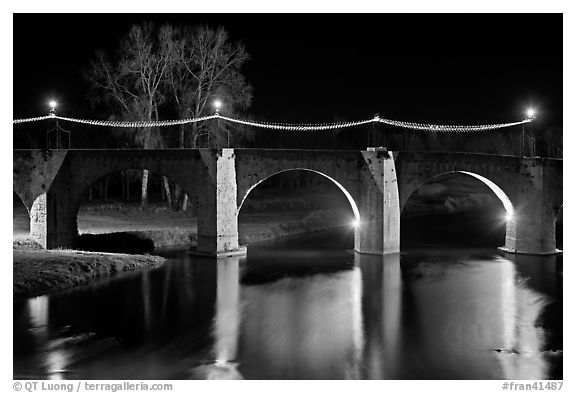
x,y
279,126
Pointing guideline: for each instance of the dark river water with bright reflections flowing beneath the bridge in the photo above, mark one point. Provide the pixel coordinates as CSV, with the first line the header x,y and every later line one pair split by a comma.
x,y
304,308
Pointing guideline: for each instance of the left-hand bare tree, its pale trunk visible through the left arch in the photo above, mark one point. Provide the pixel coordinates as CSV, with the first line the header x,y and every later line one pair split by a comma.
x,y
130,84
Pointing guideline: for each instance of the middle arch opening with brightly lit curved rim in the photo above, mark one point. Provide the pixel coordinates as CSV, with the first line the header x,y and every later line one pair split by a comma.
x,y
310,200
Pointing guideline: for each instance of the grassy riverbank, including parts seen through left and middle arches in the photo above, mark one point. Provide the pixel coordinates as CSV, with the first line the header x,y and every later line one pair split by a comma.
x,y
114,240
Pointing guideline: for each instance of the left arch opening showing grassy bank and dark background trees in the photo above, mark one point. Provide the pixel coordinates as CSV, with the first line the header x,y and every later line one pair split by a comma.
x,y
110,218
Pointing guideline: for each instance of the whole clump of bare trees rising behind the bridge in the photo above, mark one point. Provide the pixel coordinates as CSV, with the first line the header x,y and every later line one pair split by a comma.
x,y
179,70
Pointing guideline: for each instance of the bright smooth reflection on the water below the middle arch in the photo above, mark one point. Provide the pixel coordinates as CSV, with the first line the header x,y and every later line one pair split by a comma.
x,y
300,327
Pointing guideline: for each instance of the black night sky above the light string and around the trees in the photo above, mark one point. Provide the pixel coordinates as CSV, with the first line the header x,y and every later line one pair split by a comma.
x,y
437,68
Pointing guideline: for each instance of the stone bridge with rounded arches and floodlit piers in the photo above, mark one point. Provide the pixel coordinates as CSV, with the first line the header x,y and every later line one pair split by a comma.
x,y
53,183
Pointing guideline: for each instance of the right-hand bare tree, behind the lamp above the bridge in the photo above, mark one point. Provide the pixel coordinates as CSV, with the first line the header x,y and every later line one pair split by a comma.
x,y
205,65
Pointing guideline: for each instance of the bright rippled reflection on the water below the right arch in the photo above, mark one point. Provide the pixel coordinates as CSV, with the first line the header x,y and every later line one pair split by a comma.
x,y
469,312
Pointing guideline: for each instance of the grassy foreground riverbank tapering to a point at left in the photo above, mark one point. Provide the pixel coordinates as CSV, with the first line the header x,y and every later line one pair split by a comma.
x,y
40,272
